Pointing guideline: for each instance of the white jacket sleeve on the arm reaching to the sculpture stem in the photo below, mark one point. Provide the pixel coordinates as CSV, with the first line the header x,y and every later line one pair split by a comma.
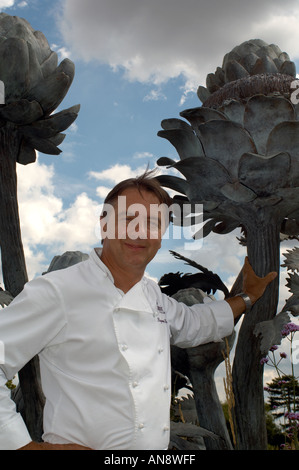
x,y
198,324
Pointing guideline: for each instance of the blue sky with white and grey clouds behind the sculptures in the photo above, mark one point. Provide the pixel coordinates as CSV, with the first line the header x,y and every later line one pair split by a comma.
x,y
137,63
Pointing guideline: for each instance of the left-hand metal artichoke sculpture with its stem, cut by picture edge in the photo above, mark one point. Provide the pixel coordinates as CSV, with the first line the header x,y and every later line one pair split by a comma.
x,y
34,86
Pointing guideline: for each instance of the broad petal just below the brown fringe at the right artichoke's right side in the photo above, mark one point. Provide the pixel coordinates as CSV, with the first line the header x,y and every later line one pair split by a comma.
x,y
267,110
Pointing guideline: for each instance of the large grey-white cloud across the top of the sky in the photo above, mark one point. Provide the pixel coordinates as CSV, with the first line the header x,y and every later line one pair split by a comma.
x,y
155,41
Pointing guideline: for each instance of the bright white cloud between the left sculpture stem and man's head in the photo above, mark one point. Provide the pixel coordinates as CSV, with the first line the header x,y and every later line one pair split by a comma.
x,y
49,228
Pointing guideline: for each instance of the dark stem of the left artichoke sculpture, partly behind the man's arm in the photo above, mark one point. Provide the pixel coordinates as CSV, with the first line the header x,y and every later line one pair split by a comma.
x,y
15,273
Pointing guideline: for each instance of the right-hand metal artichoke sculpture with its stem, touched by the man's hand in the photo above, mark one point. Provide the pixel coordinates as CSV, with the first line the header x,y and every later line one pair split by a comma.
x,y
239,157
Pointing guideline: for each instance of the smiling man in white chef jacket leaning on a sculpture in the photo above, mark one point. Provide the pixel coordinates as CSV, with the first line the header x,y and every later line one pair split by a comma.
x,y
103,333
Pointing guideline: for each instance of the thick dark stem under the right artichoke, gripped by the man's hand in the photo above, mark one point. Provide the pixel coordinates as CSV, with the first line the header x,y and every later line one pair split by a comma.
x,y
263,244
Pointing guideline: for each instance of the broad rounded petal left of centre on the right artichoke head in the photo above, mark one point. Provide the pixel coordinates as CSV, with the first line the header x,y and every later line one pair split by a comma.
x,y
226,142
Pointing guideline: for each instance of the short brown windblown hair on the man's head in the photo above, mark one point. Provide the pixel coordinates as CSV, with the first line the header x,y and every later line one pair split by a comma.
x,y
146,182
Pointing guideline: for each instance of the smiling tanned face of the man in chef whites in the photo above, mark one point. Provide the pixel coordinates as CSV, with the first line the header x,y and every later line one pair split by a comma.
x,y
137,229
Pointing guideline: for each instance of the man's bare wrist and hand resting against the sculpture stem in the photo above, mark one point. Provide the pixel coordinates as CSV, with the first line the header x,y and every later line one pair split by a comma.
x,y
253,286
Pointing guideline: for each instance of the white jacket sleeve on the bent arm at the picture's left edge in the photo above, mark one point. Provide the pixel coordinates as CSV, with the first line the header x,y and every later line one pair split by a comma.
x,y
35,318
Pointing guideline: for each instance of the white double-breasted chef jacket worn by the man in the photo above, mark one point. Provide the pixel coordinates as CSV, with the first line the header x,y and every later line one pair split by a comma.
x,y
104,356
